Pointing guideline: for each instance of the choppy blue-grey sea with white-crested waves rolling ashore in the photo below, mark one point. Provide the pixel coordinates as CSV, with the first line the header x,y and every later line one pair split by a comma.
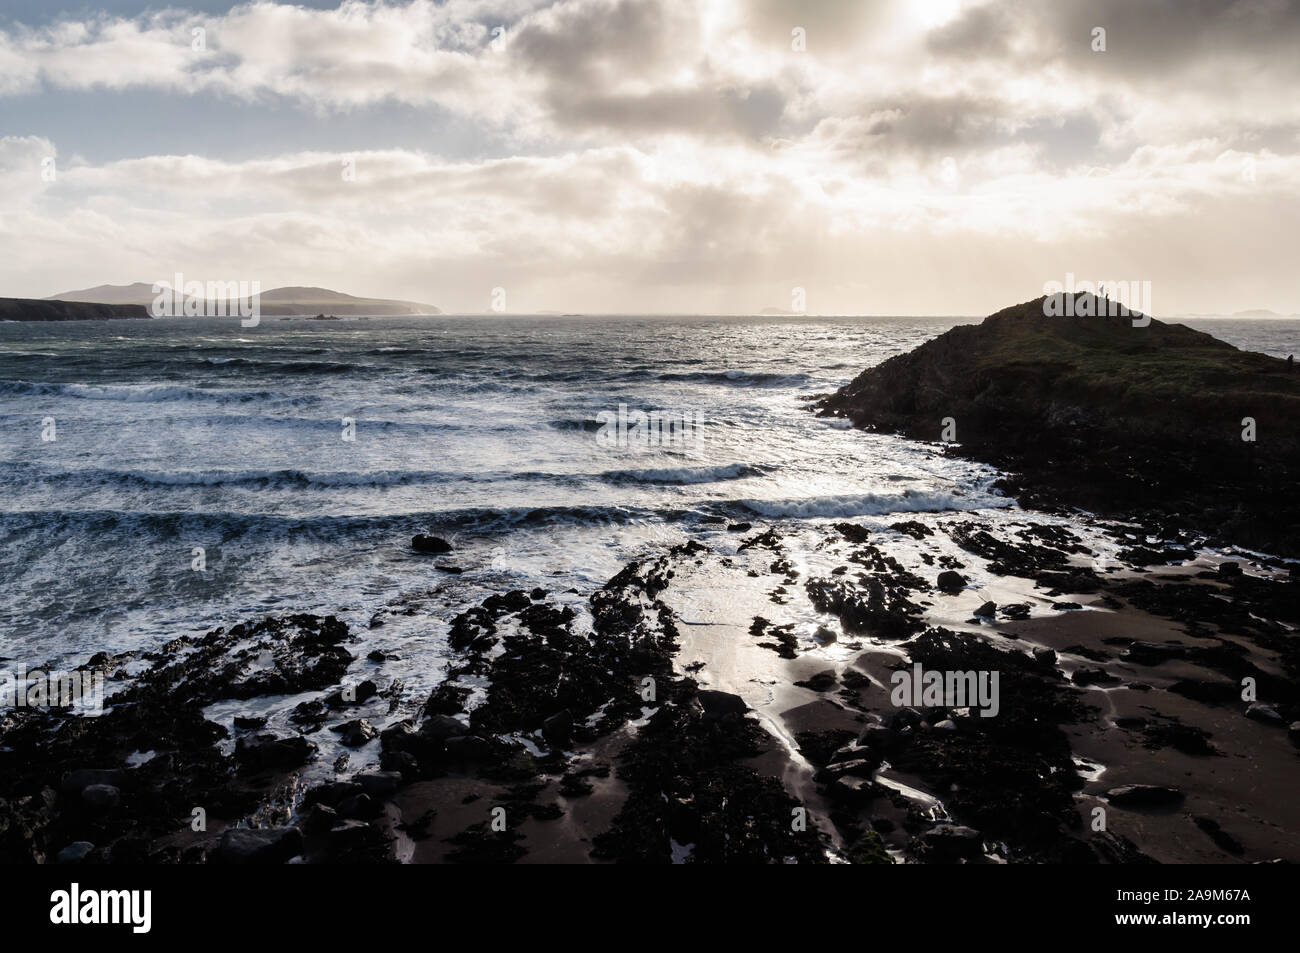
x,y
176,435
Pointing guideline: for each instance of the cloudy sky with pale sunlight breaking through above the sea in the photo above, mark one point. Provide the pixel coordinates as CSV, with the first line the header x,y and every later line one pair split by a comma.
x,y
653,157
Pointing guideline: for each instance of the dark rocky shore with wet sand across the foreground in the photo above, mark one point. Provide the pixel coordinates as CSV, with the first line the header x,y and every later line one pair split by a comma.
x,y
1116,678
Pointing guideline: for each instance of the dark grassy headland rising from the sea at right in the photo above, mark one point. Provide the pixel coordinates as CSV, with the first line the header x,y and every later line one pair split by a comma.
x,y
1093,411
